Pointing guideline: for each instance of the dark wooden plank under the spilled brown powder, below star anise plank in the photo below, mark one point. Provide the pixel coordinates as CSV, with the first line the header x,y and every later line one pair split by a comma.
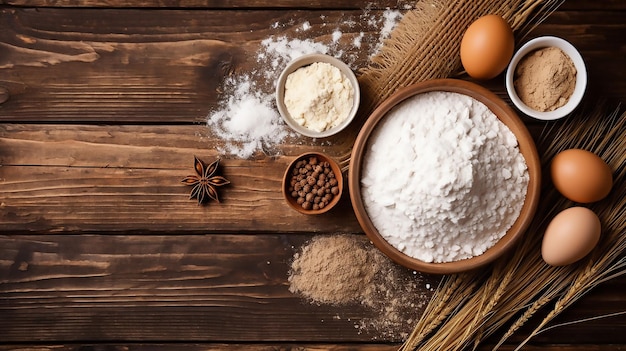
x,y
167,288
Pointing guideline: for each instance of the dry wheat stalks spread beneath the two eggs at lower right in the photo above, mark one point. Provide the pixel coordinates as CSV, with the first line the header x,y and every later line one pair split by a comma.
x,y
530,284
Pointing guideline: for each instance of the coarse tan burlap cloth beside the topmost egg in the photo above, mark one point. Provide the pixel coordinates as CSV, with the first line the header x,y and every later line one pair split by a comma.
x,y
426,42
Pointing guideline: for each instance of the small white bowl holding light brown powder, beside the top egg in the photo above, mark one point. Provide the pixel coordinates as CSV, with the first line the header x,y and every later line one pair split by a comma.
x,y
581,77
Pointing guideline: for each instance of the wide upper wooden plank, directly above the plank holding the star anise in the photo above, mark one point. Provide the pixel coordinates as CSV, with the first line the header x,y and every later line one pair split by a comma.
x,y
99,65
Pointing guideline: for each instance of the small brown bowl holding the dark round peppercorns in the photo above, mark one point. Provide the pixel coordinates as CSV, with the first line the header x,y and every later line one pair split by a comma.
x,y
287,179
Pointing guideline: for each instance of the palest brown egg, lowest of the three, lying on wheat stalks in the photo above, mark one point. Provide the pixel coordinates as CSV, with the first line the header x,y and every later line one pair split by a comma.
x,y
570,236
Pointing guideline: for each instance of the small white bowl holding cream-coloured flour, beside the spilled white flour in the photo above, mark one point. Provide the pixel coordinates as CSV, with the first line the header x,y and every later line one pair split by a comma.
x,y
306,60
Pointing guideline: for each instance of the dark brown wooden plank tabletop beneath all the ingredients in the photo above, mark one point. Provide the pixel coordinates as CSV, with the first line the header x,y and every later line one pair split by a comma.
x,y
103,105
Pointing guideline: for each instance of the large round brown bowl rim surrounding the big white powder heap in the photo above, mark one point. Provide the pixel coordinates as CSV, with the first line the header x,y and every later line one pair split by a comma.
x,y
526,146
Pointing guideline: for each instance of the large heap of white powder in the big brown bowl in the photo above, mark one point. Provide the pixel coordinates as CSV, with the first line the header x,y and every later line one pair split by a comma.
x,y
443,178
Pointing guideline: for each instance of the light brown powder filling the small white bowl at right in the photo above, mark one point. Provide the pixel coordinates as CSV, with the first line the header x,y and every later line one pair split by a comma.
x,y
545,79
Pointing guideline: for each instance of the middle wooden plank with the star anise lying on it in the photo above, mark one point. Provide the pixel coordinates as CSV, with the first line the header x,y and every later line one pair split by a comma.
x,y
67,178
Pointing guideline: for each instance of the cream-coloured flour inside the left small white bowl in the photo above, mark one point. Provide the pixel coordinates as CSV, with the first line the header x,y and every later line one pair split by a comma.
x,y
318,97
